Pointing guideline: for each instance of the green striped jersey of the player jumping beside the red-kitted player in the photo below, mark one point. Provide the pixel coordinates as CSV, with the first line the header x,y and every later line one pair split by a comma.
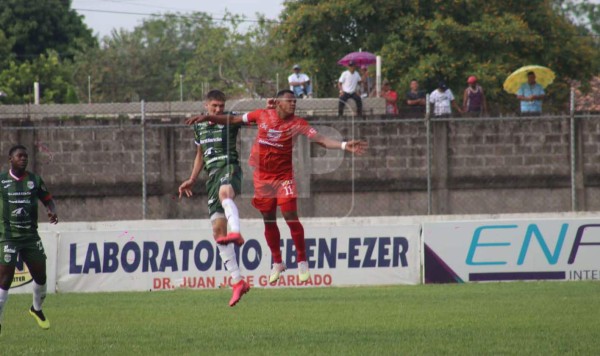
x,y
218,143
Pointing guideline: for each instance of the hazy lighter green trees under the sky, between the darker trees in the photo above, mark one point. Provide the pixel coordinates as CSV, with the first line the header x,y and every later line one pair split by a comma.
x,y
149,62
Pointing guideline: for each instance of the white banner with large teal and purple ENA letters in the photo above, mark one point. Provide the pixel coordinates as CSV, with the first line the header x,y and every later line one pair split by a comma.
x,y
496,250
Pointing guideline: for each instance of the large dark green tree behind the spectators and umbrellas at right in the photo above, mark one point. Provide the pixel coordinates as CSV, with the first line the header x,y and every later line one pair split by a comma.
x,y
437,39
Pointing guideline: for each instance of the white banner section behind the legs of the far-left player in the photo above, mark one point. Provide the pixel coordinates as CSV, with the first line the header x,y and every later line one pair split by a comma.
x,y
22,282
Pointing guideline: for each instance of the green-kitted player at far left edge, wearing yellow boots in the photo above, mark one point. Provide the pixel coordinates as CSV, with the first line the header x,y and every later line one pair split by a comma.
x,y
20,191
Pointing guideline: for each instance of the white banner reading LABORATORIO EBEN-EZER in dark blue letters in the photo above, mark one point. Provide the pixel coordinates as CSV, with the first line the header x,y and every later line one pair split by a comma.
x,y
170,259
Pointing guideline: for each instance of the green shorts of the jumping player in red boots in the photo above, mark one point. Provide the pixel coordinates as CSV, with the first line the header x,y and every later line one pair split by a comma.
x,y
228,174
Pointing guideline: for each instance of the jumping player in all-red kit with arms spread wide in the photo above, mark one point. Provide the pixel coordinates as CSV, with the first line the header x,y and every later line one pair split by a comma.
x,y
274,183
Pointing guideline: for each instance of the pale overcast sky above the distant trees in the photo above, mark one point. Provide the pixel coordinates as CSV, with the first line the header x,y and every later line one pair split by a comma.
x,y
104,15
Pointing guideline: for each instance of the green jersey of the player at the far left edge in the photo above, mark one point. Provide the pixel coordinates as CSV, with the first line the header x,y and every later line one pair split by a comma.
x,y
19,204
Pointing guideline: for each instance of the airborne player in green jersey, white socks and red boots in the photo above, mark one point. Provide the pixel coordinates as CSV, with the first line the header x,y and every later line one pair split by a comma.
x,y
217,154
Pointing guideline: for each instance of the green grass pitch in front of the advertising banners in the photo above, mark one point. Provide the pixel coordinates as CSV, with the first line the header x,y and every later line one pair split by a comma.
x,y
493,318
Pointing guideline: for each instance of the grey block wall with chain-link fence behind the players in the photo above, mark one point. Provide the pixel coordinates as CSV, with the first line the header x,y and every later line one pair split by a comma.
x,y
126,161
